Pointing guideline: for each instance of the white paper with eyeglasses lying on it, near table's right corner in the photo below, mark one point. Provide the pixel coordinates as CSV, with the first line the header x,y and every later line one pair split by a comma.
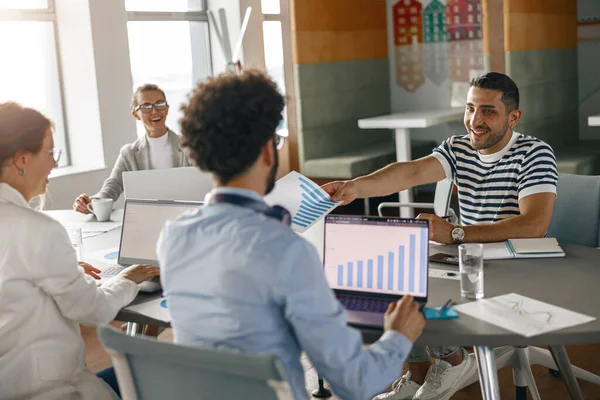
x,y
522,315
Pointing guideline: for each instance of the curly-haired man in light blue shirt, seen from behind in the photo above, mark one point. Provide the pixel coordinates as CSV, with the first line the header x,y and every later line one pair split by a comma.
x,y
236,278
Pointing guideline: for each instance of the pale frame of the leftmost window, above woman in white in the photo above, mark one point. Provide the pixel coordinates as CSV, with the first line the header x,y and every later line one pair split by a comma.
x,y
47,15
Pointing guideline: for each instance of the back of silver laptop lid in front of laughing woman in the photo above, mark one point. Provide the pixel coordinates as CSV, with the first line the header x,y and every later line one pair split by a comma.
x,y
185,184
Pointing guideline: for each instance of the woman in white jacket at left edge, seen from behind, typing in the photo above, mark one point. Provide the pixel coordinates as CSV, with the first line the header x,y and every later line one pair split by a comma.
x,y
44,295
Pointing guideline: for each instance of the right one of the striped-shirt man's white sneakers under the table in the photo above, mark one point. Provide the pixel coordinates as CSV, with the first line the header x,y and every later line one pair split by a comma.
x,y
443,379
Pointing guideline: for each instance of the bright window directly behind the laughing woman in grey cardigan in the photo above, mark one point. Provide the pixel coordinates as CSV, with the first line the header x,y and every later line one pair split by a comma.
x,y
168,46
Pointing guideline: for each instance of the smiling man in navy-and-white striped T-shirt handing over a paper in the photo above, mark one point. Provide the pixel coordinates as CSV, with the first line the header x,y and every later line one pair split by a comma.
x,y
506,189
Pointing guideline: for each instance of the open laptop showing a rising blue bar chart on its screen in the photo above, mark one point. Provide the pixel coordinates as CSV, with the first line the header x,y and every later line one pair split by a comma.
x,y
370,262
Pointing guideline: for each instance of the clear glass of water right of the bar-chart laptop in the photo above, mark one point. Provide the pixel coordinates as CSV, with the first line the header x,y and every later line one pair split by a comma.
x,y
470,259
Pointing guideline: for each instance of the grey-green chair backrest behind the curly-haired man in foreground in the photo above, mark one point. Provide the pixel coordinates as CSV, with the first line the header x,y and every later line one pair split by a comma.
x,y
148,369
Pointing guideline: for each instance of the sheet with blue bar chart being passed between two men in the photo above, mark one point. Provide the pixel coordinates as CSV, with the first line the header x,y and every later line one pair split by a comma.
x,y
303,198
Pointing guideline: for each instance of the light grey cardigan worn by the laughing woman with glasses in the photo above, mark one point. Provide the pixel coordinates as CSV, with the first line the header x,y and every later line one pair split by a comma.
x,y
136,157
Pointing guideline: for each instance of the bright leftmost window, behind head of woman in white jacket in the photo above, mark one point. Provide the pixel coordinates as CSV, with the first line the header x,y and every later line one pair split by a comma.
x,y
29,73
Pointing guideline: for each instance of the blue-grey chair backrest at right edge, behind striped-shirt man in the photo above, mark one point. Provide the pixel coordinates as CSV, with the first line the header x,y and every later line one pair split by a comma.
x,y
576,217
